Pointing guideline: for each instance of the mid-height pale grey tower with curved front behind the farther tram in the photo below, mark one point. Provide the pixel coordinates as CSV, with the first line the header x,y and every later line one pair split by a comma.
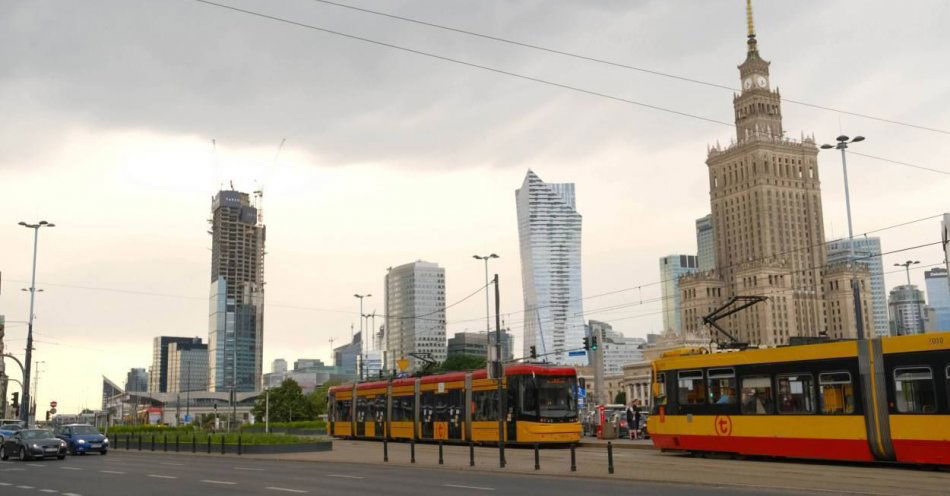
x,y
415,312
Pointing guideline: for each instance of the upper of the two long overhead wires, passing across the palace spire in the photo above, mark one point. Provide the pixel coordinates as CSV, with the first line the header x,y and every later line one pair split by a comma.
x,y
613,63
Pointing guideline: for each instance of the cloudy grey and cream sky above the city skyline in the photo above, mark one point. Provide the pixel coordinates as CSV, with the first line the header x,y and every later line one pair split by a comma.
x,y
108,109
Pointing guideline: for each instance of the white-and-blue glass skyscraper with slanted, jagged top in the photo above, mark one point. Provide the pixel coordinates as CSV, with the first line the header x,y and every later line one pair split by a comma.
x,y
549,233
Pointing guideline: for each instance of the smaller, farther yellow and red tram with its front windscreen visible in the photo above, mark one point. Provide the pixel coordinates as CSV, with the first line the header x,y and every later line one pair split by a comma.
x,y
539,401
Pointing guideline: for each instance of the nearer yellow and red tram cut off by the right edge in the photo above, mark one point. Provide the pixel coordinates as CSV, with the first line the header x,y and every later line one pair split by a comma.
x,y
883,399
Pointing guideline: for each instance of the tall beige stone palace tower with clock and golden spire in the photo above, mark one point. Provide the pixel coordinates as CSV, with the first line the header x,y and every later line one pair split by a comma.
x,y
765,198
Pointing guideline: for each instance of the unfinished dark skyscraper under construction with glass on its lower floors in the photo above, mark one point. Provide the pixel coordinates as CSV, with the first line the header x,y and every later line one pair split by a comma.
x,y
236,319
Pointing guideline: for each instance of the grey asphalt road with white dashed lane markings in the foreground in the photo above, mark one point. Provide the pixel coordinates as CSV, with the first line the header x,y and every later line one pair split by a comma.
x,y
139,474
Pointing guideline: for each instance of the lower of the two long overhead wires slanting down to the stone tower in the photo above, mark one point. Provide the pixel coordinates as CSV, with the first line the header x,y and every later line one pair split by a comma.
x,y
511,74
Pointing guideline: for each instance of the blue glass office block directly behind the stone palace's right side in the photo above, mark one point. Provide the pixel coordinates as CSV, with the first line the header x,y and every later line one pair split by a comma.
x,y
867,252
